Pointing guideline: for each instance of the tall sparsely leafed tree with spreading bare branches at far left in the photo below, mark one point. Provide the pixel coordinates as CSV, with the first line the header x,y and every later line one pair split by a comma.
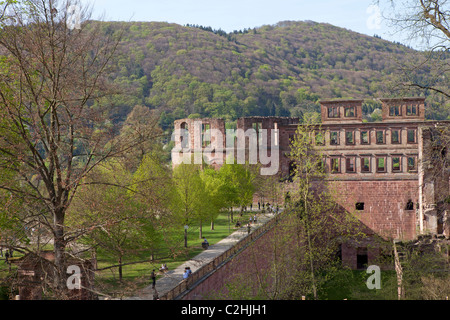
x,y
51,82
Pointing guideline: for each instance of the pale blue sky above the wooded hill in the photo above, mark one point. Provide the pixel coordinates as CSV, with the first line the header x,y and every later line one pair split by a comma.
x,y
229,15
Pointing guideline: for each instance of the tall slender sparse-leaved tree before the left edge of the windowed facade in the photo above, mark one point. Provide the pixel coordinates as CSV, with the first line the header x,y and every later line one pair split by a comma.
x,y
318,223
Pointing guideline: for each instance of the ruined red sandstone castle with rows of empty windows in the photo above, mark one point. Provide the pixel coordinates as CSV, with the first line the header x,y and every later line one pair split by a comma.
x,y
383,170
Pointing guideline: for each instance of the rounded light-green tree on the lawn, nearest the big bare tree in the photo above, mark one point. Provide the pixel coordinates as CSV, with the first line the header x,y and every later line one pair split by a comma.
x,y
109,217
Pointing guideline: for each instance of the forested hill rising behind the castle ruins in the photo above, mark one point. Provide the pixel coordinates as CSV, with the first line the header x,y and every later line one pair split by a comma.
x,y
279,70
